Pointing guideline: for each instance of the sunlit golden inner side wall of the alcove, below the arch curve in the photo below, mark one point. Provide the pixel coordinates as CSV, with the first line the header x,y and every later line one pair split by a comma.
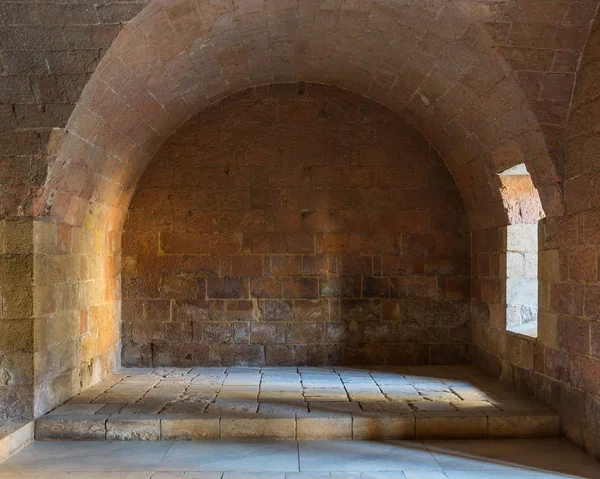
x,y
76,303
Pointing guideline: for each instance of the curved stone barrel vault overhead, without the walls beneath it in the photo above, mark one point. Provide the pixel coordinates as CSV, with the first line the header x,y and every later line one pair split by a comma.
x,y
431,63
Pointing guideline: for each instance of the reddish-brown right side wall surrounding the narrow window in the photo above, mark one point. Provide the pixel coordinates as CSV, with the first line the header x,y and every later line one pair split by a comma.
x,y
561,367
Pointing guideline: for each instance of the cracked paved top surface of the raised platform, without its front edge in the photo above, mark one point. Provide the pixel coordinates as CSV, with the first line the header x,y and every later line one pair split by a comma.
x,y
401,390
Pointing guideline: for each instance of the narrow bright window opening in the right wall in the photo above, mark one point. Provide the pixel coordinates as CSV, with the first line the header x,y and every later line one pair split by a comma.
x,y
523,206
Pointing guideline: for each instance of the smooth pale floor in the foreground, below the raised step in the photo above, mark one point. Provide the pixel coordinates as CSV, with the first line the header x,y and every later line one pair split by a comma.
x,y
491,459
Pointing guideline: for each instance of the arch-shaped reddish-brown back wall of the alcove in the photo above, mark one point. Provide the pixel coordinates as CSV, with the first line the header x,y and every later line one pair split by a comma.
x,y
296,224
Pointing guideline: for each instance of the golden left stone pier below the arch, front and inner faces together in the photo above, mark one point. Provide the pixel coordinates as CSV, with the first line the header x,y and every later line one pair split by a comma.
x,y
59,319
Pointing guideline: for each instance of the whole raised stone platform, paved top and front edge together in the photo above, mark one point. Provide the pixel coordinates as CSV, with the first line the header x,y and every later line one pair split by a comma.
x,y
304,403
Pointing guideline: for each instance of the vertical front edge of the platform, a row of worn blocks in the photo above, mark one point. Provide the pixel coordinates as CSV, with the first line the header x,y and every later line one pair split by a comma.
x,y
300,426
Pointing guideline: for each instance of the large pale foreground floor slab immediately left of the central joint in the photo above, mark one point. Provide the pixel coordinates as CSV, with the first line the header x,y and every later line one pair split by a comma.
x,y
232,456
